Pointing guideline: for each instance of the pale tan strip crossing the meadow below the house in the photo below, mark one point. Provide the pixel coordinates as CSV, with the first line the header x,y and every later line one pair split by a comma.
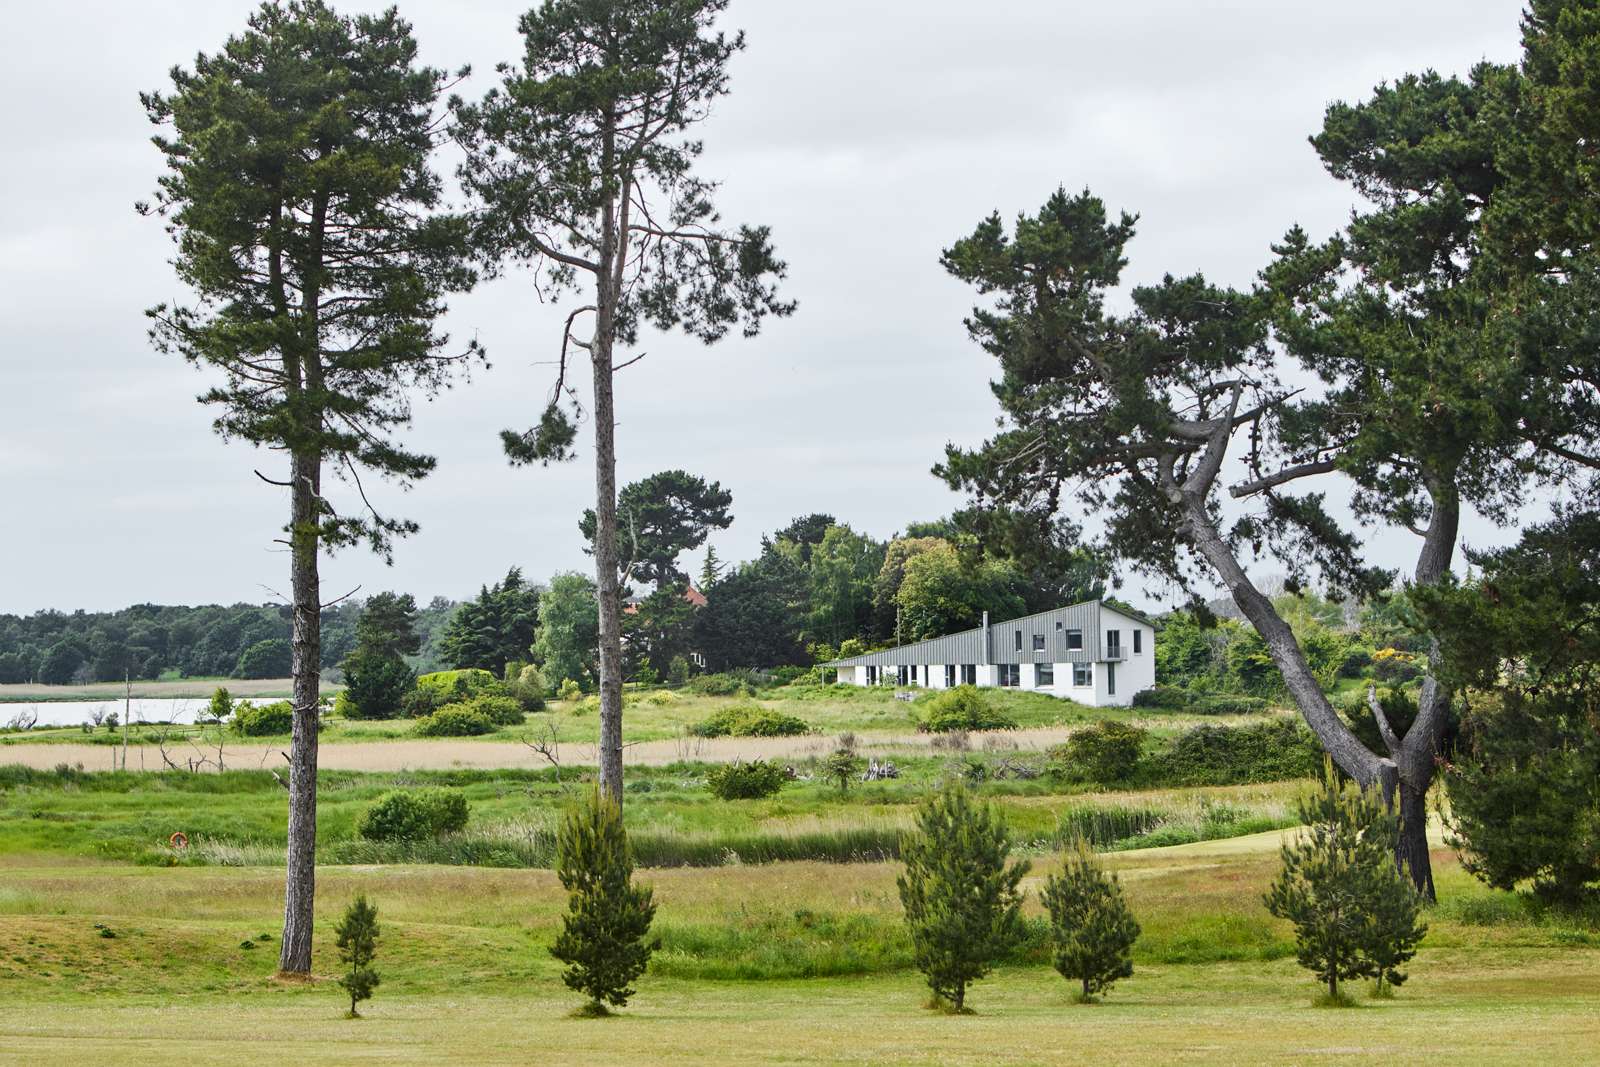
x,y
444,754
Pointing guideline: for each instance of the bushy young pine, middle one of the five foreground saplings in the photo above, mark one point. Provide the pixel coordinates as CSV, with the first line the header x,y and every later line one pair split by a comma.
x,y
962,901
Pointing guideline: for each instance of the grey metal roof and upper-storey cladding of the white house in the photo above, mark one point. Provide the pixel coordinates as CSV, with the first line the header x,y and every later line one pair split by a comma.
x,y
967,647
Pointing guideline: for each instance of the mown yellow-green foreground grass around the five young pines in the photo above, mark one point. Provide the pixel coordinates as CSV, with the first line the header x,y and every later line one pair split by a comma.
x,y
818,953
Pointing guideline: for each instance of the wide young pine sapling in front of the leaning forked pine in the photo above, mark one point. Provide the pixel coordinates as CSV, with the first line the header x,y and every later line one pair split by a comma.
x,y
1354,913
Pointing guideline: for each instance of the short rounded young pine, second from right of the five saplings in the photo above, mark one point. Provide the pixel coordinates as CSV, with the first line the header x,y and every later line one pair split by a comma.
x,y
1090,924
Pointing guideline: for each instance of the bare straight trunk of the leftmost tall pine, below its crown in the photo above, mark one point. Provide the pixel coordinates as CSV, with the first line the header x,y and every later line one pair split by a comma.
x,y
300,887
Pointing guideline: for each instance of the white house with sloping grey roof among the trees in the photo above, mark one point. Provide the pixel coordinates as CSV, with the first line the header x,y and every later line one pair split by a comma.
x,y
1090,653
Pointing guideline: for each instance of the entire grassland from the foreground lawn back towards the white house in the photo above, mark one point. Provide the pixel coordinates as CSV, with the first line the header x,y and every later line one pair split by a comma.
x,y
780,921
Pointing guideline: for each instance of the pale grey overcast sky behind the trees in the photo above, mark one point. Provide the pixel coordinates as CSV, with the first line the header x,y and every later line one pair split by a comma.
x,y
868,134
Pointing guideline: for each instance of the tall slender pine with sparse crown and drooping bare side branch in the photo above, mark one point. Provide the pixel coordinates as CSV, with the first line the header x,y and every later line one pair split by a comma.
x,y
583,164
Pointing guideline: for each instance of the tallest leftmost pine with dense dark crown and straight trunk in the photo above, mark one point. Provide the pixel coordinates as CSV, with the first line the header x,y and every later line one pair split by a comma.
x,y
311,236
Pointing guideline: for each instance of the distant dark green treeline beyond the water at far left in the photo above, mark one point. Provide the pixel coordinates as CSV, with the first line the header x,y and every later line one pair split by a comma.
x,y
150,642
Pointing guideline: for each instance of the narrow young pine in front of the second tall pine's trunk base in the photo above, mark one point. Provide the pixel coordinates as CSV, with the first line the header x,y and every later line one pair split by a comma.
x,y
604,933
